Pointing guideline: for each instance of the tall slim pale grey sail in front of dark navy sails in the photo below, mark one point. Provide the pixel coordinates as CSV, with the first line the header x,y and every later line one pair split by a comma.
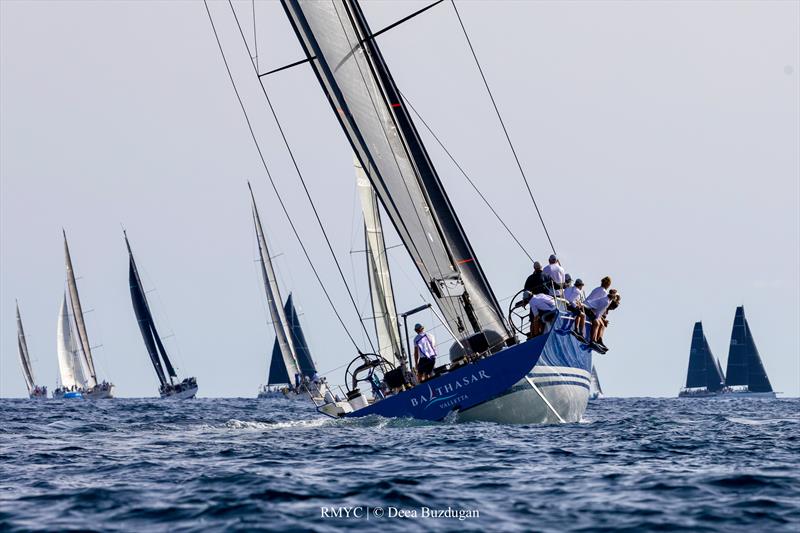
x,y
282,334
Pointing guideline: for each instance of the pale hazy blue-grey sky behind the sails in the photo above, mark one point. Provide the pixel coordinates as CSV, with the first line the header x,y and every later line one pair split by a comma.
x,y
661,140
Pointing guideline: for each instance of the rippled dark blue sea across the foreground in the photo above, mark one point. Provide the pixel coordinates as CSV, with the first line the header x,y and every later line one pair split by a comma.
x,y
247,464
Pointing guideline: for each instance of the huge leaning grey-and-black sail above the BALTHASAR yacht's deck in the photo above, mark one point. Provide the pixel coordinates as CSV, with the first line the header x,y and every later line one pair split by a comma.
x,y
367,103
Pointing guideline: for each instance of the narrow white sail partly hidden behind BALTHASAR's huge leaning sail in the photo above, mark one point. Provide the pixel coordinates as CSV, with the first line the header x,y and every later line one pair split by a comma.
x,y
384,311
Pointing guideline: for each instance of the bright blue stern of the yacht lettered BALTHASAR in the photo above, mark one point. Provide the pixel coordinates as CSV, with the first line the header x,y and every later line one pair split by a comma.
x,y
464,388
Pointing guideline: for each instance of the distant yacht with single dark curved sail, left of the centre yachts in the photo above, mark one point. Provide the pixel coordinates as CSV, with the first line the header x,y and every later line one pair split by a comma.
x,y
152,341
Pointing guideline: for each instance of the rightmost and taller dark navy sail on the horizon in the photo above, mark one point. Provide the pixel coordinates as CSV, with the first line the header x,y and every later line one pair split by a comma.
x,y
744,362
